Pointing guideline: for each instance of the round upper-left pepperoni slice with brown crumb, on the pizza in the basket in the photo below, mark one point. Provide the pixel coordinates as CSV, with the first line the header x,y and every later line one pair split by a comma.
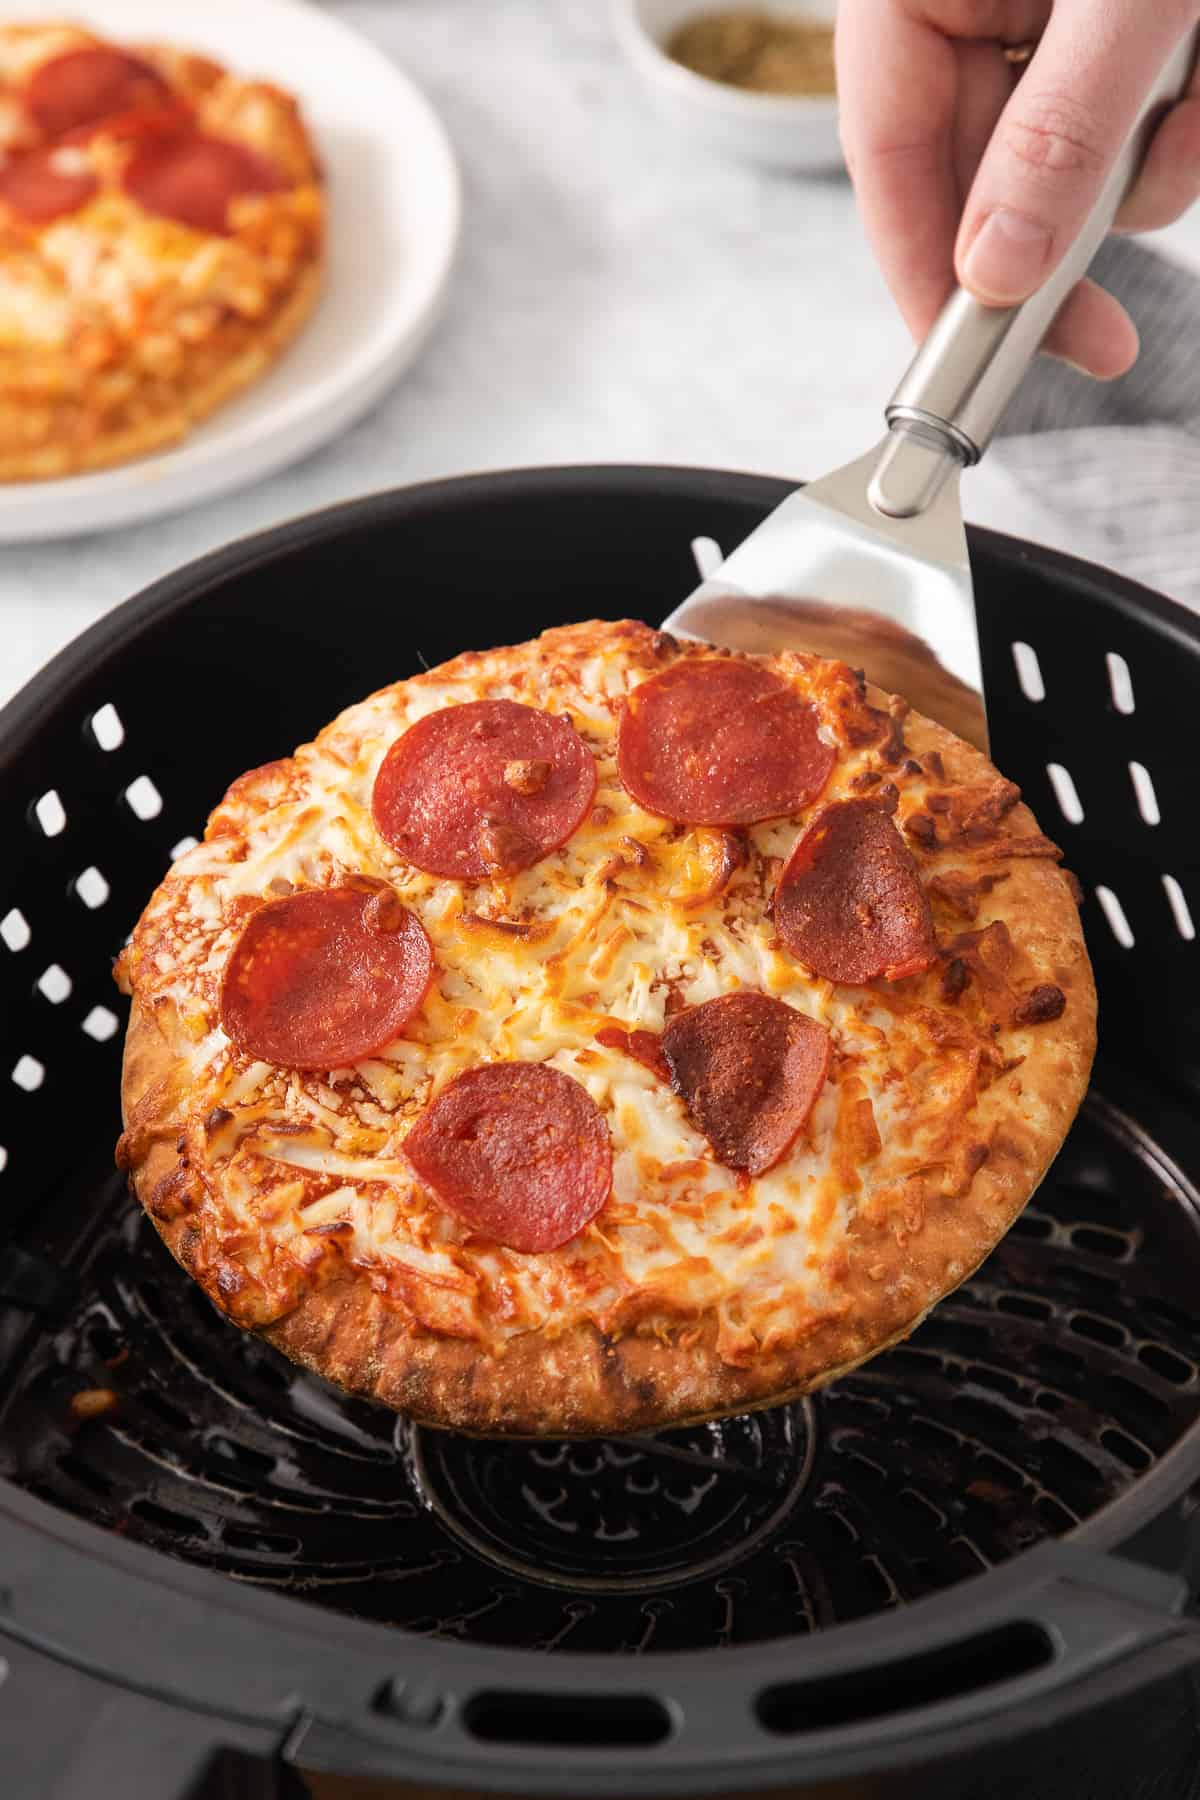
x,y
483,789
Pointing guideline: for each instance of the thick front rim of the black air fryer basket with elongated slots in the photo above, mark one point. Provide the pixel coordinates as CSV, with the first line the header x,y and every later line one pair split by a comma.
x,y
319,1682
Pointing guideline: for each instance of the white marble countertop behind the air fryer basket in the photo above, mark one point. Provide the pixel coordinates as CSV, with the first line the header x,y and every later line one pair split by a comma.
x,y
618,298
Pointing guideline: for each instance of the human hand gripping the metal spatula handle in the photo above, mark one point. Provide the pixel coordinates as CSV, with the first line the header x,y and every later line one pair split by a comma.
x,y
965,172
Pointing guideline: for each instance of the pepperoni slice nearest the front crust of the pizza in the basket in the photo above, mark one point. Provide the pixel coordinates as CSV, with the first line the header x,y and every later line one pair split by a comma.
x,y
517,1151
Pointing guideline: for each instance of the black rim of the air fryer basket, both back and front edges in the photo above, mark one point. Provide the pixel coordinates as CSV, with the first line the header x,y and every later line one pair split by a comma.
x,y
1095,1608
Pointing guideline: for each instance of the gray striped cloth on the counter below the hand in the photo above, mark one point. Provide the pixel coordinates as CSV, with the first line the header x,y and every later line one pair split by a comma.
x,y
1111,471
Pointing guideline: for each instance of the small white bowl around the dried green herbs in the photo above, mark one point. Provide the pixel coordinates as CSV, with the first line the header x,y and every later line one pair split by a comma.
x,y
780,130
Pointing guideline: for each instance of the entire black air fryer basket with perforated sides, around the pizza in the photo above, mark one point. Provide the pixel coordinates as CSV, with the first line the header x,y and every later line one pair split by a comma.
x,y
978,1543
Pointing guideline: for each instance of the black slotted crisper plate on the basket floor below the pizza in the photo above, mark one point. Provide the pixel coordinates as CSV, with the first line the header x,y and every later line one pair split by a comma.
x,y
1030,1401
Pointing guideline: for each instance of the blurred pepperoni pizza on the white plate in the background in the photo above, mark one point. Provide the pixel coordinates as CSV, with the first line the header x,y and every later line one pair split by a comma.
x,y
161,240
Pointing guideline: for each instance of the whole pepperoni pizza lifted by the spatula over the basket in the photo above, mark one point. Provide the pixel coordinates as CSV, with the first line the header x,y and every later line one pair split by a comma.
x,y
604,1032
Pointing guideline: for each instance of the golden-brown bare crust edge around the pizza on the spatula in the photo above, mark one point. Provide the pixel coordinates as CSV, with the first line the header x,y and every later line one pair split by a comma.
x,y
893,1264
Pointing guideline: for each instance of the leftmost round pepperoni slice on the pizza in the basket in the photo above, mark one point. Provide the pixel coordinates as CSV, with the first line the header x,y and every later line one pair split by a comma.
x,y
325,976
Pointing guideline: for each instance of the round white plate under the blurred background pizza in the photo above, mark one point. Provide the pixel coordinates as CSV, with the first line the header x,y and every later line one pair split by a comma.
x,y
393,229
